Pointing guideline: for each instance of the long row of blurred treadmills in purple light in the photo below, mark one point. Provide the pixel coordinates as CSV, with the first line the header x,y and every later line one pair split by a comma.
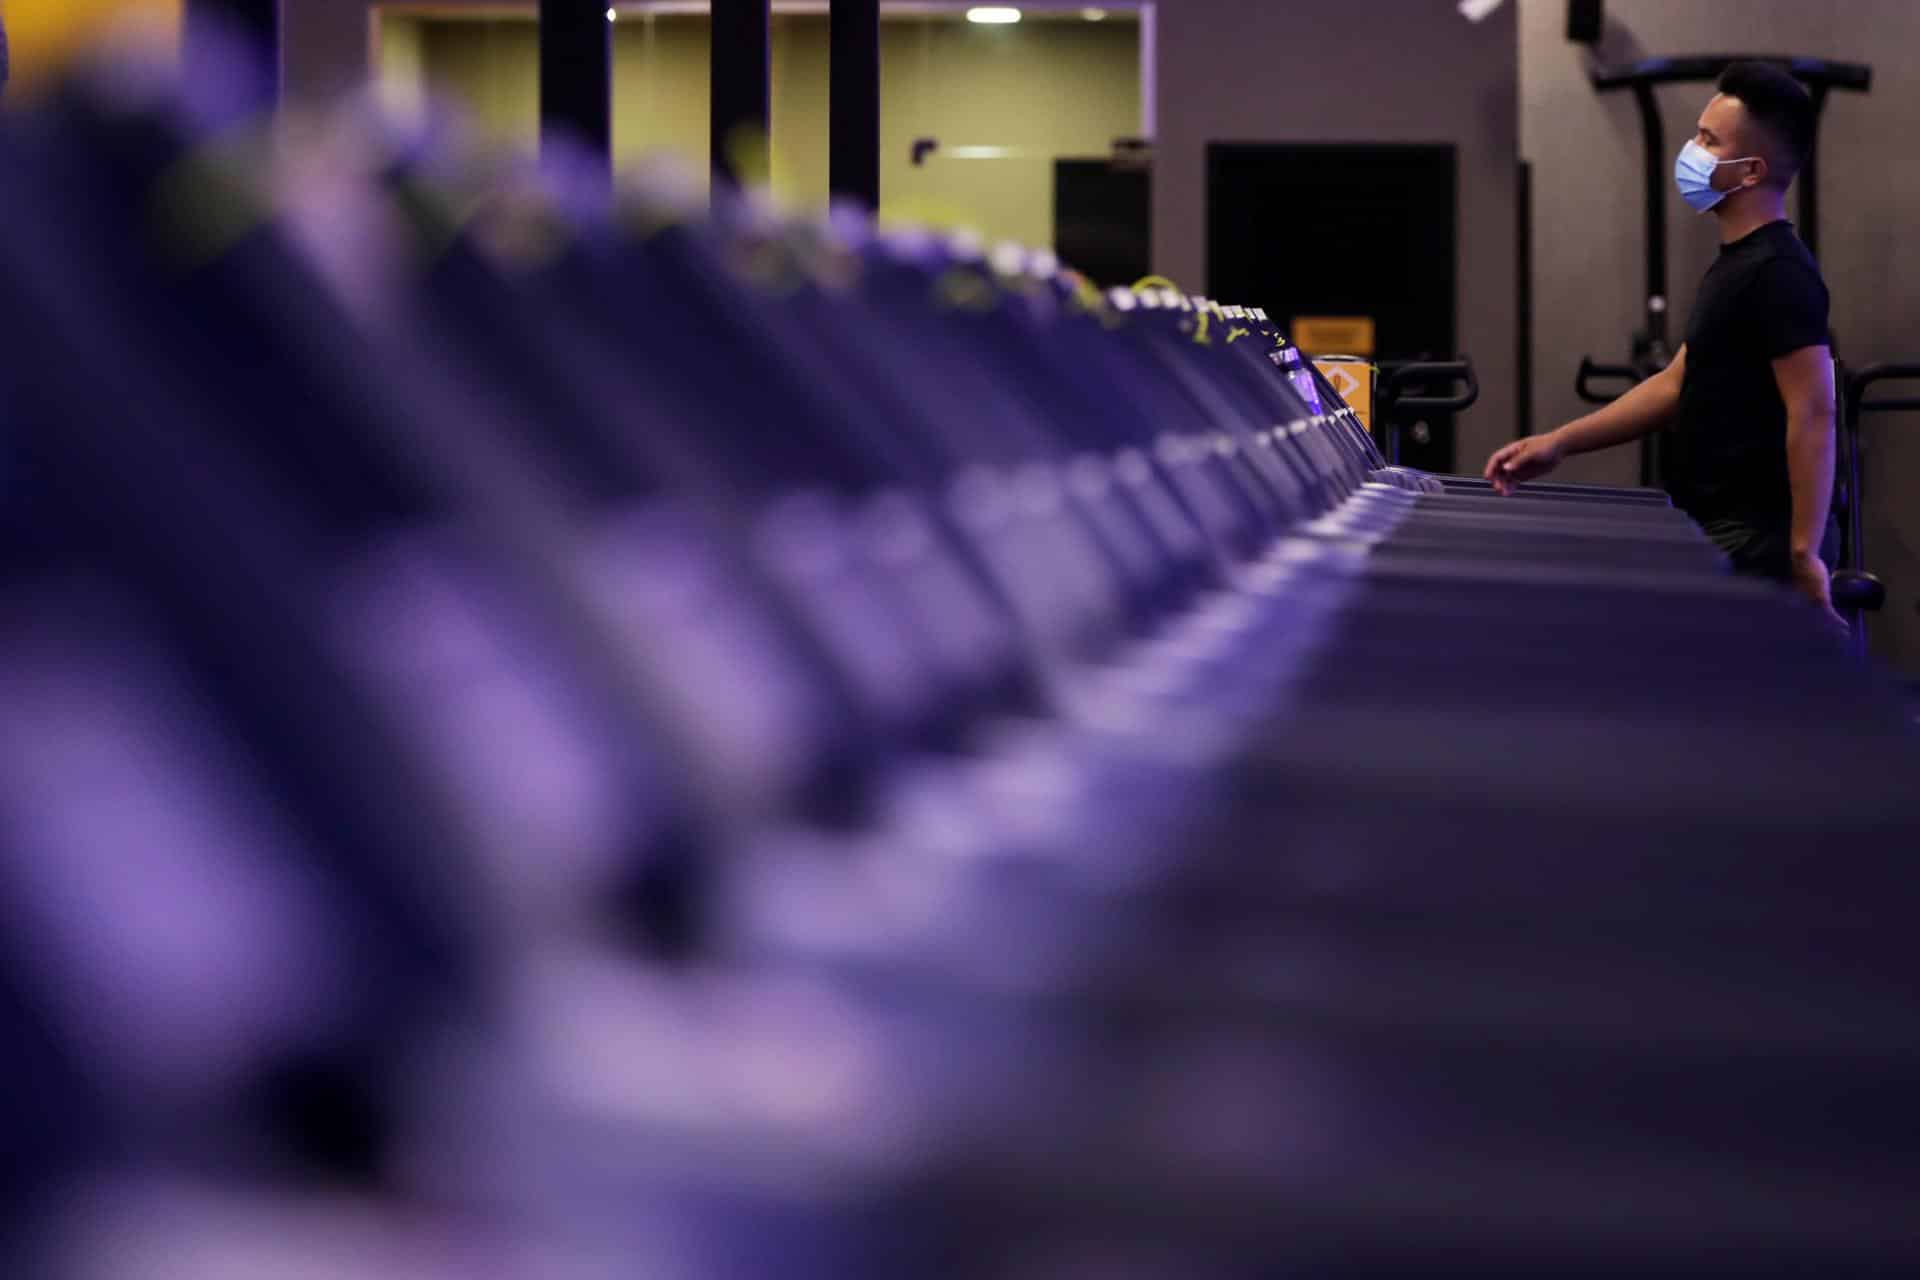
x,y
573,738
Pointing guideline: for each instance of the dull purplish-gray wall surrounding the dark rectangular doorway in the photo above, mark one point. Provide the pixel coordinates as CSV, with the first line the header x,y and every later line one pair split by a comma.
x,y
1360,72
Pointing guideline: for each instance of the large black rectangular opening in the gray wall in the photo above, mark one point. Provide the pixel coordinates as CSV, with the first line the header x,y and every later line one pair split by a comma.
x,y
1343,231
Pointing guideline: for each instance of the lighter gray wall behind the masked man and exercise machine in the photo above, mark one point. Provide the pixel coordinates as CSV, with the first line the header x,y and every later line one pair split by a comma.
x,y
1589,216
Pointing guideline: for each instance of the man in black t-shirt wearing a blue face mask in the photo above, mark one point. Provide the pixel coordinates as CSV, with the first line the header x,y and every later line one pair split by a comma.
x,y
1750,396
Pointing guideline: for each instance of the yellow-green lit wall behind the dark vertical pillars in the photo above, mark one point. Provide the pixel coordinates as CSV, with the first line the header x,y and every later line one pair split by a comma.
x,y
1044,89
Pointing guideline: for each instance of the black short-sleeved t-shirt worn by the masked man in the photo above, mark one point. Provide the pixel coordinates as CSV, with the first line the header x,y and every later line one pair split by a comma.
x,y
1727,458
